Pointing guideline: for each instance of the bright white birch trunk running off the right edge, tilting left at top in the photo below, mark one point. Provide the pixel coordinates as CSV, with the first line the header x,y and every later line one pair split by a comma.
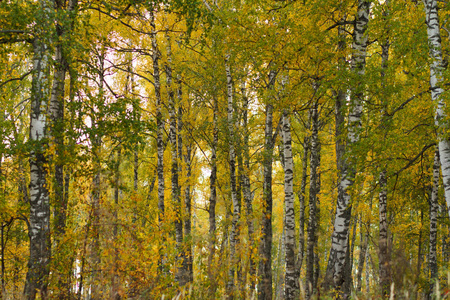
x,y
436,77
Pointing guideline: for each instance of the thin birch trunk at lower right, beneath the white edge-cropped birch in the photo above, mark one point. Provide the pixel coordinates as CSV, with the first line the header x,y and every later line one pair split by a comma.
x,y
434,207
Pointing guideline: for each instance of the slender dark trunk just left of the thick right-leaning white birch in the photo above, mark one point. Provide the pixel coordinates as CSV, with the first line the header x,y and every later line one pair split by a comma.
x,y
313,198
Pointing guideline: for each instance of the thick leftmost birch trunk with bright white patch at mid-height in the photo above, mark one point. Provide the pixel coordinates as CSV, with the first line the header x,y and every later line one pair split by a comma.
x,y
39,220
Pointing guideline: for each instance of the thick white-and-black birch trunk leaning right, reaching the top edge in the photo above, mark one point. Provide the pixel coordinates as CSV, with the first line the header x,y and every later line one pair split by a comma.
x,y
335,269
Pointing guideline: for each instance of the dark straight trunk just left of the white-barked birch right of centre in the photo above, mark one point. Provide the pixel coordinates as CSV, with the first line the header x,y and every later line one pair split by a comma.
x,y
265,264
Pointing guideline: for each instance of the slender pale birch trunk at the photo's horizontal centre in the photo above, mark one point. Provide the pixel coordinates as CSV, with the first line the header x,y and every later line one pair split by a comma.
x,y
236,204
